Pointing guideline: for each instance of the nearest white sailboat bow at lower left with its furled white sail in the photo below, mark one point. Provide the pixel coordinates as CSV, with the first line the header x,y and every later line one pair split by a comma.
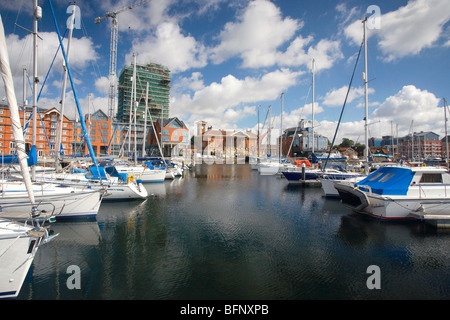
x,y
18,242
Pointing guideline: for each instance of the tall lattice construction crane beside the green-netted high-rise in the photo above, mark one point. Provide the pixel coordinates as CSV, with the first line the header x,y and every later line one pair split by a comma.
x,y
113,51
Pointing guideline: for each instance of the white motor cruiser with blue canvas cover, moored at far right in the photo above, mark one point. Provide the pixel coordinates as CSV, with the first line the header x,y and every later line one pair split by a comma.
x,y
412,199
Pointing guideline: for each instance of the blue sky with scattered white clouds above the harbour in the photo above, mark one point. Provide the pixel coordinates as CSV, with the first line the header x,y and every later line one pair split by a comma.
x,y
232,59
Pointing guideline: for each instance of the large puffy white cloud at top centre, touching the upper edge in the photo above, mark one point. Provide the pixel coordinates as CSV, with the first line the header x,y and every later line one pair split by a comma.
x,y
260,32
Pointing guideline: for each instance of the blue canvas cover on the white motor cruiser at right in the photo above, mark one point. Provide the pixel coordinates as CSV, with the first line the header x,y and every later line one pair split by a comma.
x,y
388,181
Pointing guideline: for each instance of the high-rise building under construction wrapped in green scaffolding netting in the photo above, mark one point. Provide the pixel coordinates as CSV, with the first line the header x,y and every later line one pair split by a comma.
x,y
158,79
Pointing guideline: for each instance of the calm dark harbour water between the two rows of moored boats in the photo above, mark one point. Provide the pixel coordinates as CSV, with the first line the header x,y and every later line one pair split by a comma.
x,y
225,232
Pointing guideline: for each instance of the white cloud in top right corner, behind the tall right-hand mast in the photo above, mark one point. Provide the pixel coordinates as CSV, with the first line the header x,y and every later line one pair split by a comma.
x,y
408,30
